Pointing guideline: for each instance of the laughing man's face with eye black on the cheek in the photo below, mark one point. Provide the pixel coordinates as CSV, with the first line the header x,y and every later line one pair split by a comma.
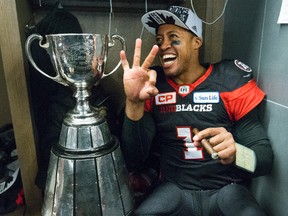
x,y
176,51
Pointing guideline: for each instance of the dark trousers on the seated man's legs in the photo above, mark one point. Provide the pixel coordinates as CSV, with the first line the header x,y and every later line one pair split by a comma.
x,y
169,200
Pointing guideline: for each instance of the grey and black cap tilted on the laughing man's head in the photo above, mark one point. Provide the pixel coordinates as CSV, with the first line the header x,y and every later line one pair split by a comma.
x,y
175,15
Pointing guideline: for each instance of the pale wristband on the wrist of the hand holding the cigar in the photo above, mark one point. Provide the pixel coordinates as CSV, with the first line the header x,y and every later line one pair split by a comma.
x,y
245,158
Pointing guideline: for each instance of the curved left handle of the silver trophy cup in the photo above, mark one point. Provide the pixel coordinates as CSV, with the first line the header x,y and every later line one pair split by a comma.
x,y
45,46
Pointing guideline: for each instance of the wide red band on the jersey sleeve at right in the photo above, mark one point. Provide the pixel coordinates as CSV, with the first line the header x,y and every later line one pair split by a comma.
x,y
242,100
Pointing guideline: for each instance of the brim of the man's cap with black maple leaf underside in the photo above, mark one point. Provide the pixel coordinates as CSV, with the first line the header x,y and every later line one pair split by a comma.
x,y
153,19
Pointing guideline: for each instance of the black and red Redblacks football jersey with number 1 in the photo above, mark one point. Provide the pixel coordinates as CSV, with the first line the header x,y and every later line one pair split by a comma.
x,y
222,96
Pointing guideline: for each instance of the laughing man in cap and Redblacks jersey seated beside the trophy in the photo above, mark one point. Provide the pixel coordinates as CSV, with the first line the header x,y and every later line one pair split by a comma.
x,y
166,104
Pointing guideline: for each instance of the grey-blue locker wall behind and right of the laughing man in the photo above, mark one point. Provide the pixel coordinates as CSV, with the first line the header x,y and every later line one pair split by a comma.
x,y
251,34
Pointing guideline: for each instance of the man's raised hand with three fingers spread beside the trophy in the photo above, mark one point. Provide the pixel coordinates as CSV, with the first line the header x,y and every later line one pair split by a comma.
x,y
139,82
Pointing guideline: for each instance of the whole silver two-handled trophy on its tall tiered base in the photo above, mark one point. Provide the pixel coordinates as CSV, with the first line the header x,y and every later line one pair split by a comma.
x,y
87,174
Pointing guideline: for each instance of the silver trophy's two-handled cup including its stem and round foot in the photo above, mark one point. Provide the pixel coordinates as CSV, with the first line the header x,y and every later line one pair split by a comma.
x,y
79,61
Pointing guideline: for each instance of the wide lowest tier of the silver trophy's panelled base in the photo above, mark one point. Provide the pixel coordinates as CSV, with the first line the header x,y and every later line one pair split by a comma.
x,y
88,185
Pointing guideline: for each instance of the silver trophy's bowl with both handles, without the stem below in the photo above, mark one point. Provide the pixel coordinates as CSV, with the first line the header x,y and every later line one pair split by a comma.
x,y
78,59
